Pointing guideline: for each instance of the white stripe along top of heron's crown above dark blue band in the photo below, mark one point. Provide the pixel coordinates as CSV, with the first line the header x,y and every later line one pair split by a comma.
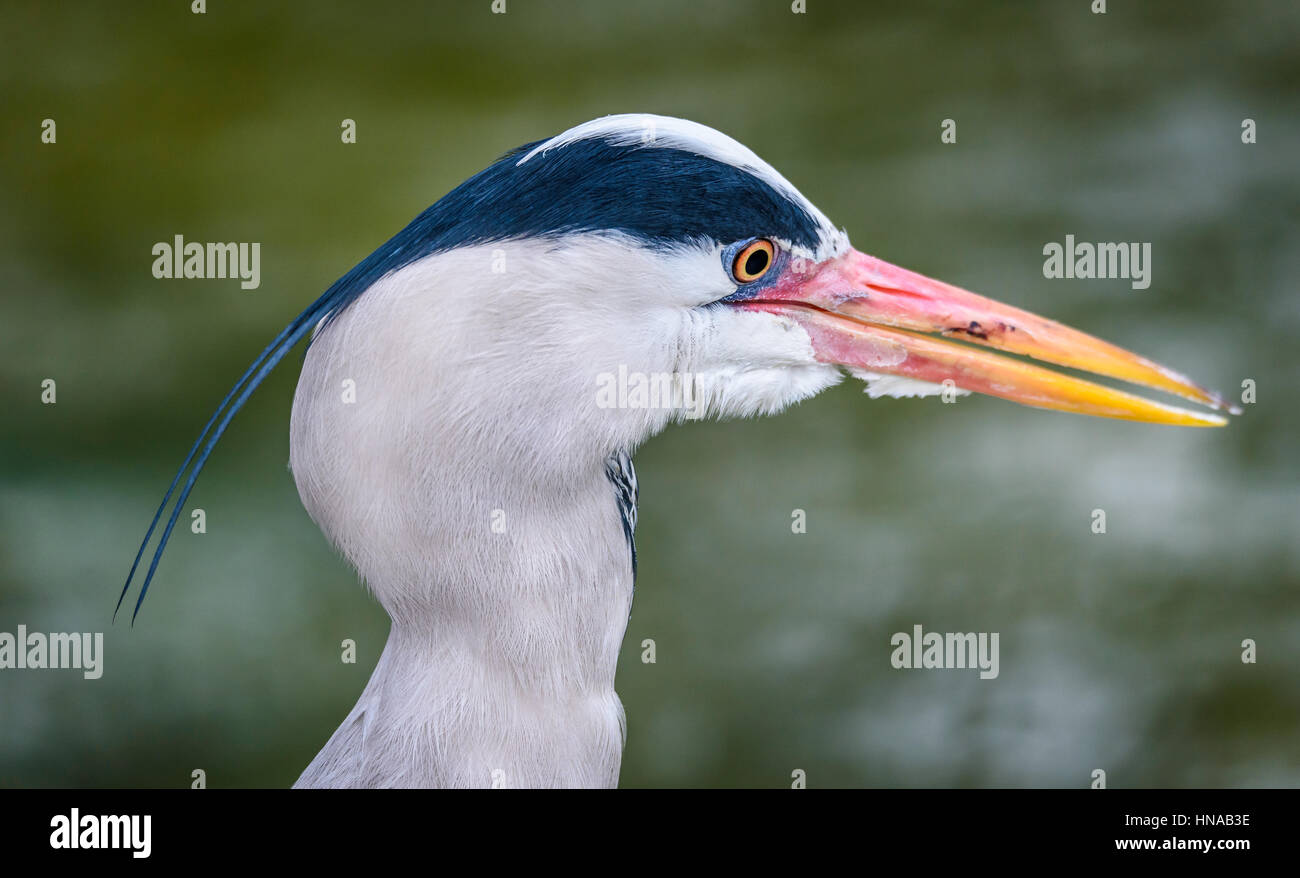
x,y
669,132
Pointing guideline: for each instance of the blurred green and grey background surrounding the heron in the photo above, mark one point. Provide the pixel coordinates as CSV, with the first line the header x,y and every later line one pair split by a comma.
x,y
1119,652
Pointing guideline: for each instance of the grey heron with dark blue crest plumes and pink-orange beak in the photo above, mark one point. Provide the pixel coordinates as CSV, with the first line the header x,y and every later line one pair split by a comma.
x,y
484,490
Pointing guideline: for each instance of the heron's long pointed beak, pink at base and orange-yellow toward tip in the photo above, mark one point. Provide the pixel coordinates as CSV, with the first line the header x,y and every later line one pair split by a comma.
x,y
864,313
